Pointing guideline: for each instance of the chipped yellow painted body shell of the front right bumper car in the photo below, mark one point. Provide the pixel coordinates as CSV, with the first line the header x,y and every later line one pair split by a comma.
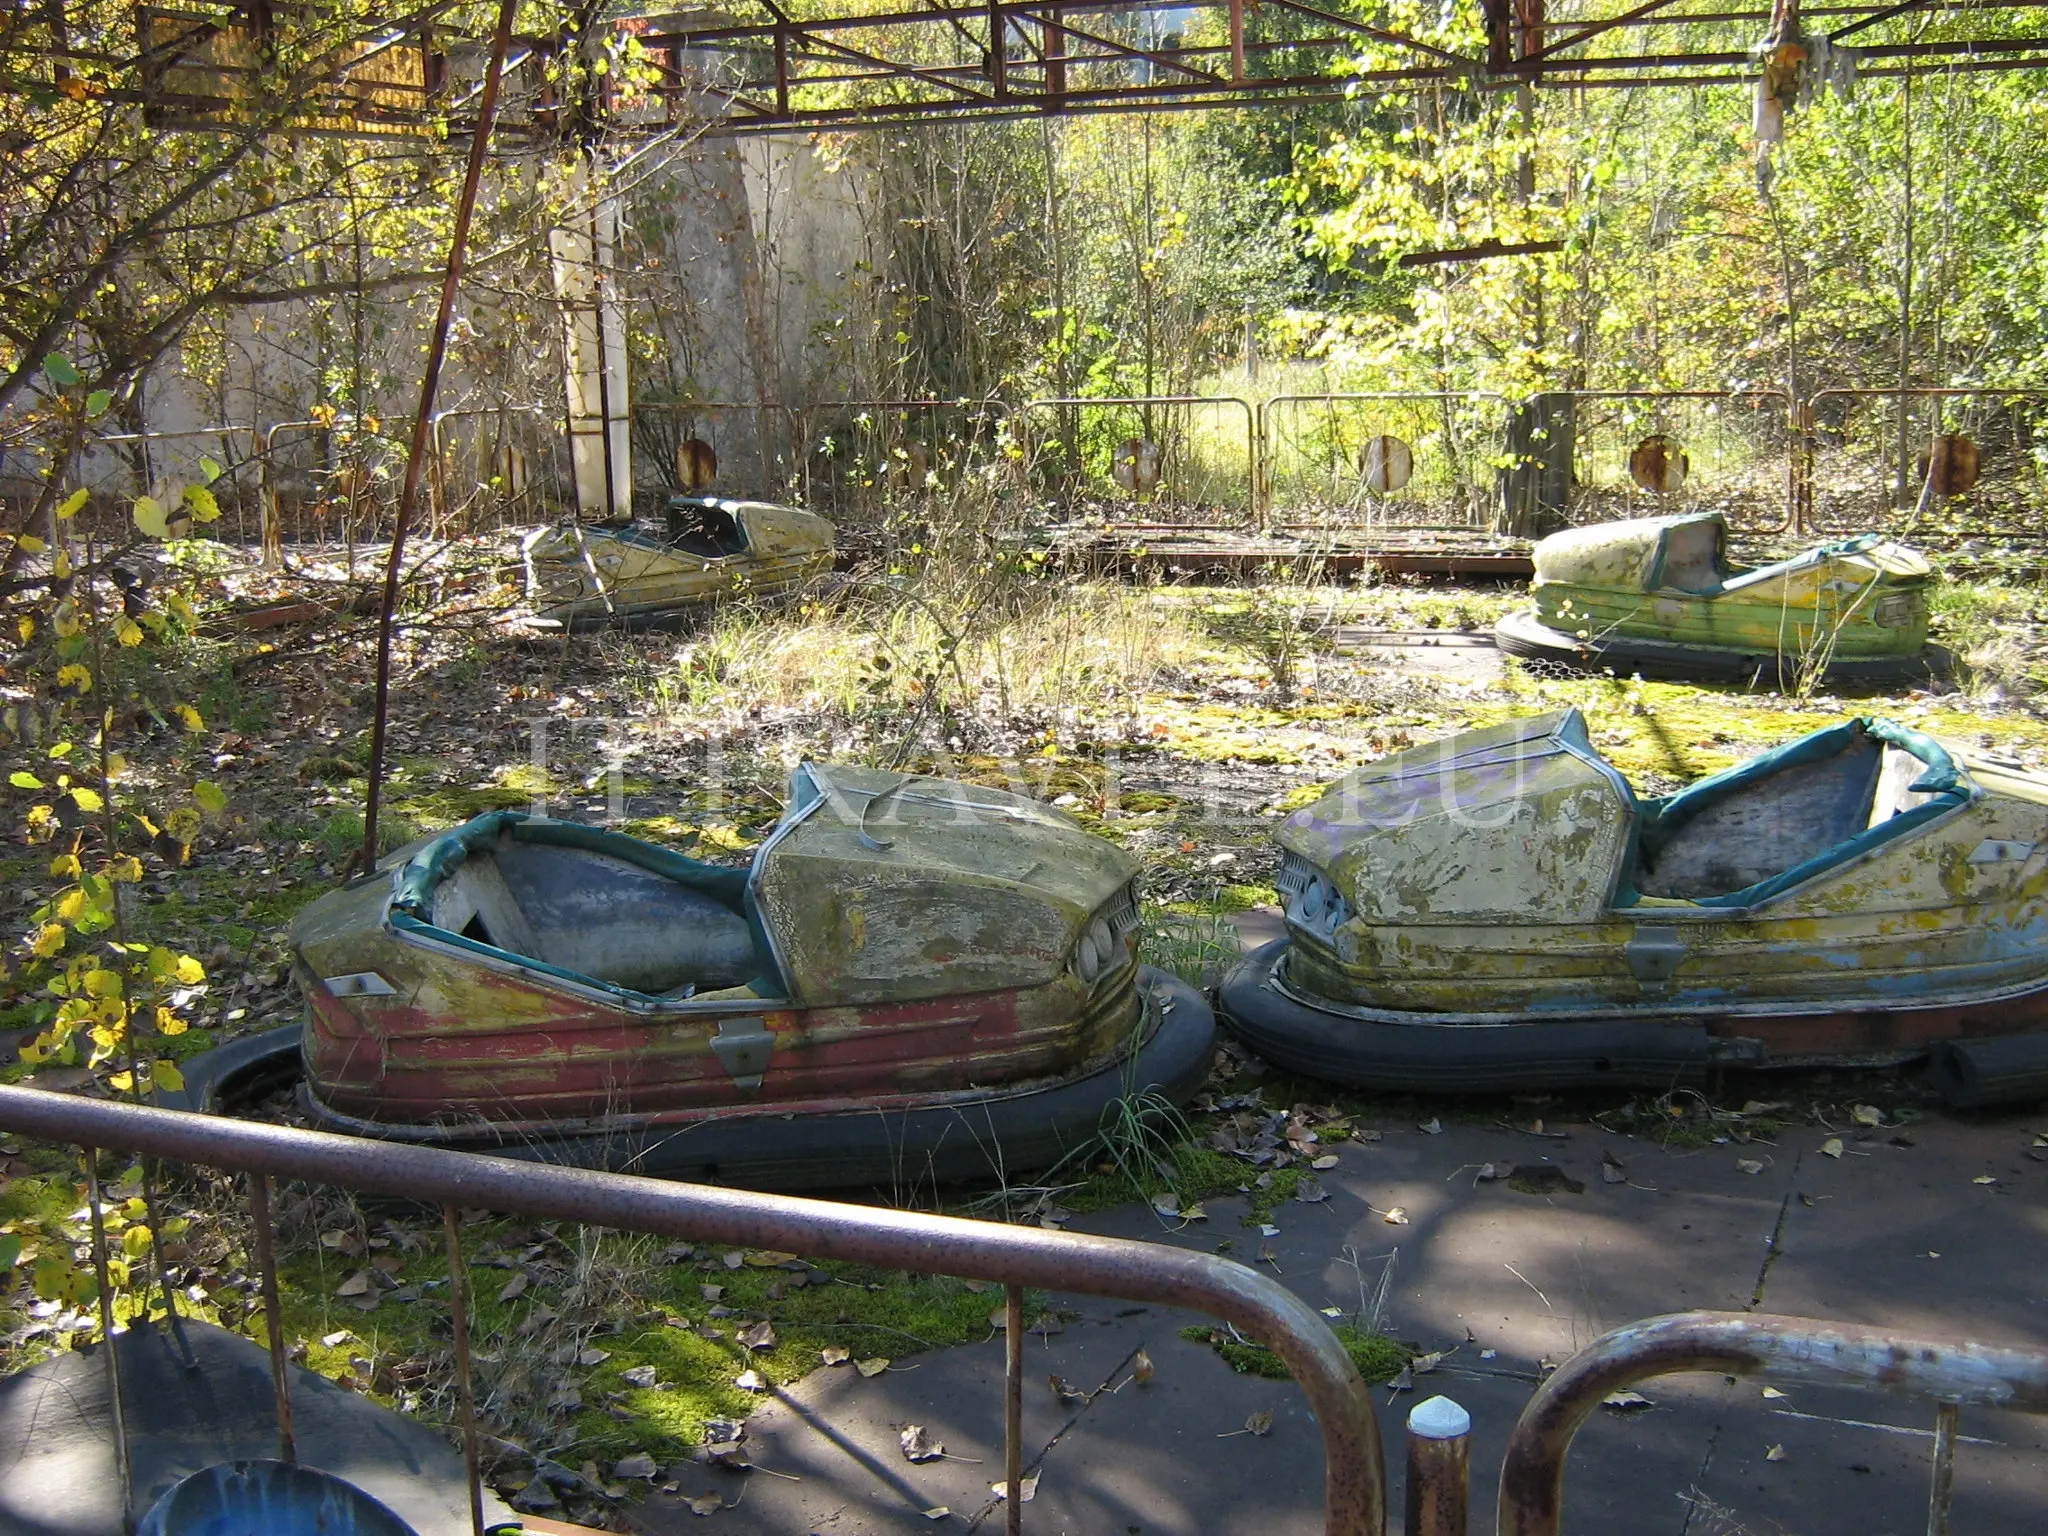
x,y
1482,884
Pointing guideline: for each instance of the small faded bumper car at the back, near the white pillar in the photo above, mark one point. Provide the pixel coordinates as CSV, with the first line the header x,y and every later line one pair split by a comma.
x,y
703,554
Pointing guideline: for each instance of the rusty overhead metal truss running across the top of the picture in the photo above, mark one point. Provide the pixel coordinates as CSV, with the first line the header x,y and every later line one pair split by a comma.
x,y
763,67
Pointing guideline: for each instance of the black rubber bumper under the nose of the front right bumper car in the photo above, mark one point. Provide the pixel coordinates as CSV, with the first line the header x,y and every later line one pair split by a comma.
x,y
1451,1058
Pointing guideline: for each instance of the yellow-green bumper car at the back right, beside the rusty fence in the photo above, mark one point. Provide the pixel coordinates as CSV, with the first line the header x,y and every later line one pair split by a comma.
x,y
1660,597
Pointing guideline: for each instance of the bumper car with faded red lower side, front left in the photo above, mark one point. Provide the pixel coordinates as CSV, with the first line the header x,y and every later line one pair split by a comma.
x,y
916,982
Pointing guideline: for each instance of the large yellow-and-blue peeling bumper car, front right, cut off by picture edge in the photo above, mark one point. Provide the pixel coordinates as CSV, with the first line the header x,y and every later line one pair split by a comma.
x,y
1500,912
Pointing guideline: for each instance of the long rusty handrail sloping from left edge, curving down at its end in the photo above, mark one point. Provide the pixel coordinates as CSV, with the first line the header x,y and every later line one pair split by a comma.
x,y
898,1240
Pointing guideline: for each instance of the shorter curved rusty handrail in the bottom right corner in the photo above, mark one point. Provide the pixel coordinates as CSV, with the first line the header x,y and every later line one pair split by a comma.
x,y
1750,1345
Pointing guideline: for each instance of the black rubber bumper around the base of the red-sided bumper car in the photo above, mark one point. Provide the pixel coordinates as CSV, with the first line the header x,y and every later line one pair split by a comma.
x,y
898,1150
